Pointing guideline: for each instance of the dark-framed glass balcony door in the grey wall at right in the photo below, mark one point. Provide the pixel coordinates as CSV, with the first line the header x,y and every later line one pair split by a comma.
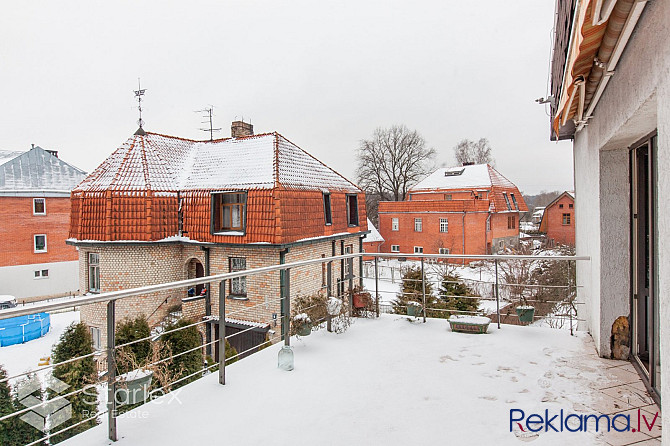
x,y
644,304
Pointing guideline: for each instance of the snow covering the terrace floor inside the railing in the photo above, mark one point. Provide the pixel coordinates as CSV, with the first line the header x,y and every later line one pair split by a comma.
x,y
385,381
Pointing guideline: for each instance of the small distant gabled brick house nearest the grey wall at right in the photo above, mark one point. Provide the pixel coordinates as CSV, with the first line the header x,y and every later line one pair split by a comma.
x,y
558,220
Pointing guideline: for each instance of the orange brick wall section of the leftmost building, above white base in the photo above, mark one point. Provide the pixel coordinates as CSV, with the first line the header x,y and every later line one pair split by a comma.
x,y
19,225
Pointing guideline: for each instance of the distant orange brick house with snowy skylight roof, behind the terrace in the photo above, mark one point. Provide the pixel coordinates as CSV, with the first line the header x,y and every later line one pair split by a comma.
x,y
470,209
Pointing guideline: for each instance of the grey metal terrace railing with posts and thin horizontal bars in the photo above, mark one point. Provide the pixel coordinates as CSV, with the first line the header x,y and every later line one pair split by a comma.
x,y
284,320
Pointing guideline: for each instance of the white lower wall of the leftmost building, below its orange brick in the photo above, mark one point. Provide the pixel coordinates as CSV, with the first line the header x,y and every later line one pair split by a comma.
x,y
20,280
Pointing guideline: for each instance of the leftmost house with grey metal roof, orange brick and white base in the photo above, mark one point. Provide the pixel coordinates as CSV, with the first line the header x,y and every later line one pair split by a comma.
x,y
35,189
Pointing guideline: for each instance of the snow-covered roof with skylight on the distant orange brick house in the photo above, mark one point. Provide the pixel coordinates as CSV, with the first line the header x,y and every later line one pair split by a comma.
x,y
473,176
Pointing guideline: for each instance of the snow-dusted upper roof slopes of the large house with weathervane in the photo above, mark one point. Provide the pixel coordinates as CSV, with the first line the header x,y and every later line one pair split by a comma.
x,y
158,162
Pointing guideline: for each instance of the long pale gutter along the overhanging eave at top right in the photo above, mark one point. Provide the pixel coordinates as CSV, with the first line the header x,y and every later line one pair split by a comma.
x,y
610,65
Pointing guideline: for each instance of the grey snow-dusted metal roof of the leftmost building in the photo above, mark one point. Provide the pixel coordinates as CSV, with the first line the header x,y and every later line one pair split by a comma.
x,y
35,170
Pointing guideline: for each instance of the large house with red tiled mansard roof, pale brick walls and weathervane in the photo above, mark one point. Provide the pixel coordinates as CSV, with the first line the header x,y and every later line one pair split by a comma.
x,y
162,208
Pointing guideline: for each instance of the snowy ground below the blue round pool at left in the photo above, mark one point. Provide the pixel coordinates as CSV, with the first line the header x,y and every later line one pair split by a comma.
x,y
21,358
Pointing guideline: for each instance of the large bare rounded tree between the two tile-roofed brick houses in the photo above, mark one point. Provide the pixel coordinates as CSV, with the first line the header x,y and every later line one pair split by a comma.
x,y
392,161
